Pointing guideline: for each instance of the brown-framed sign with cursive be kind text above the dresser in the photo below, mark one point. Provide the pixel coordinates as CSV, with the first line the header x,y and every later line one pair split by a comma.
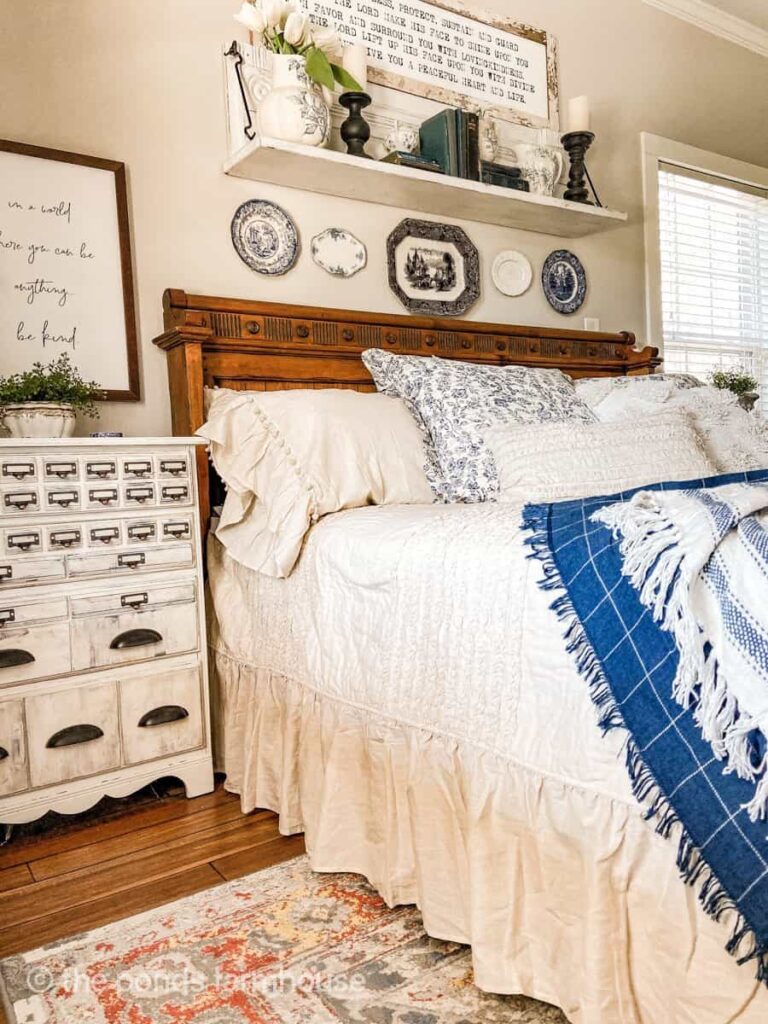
x,y
66,278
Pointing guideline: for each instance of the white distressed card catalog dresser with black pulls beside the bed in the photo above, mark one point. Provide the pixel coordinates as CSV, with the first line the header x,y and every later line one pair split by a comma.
x,y
104,682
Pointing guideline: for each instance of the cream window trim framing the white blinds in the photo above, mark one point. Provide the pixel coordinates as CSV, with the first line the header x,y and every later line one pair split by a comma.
x,y
657,151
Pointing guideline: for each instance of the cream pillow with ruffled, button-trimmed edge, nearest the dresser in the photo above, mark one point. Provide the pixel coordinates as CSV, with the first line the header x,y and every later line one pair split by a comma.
x,y
290,457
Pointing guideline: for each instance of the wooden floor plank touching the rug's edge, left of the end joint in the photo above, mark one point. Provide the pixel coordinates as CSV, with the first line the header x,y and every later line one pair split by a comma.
x,y
104,912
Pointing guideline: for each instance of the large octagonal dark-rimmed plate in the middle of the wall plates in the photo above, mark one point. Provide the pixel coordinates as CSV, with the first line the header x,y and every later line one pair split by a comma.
x,y
434,269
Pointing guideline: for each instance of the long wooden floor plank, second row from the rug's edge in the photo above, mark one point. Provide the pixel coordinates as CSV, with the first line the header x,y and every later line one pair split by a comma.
x,y
42,899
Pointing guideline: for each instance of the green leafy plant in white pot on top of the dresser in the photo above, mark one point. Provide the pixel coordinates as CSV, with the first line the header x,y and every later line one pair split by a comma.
x,y
44,402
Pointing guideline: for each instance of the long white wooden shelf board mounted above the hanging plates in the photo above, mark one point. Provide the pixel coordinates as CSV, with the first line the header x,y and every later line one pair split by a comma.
x,y
333,174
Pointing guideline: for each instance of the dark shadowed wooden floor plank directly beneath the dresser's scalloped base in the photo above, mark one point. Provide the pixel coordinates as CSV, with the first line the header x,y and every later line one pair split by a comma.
x,y
34,848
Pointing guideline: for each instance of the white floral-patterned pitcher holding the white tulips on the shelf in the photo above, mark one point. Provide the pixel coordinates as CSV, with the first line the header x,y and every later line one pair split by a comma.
x,y
294,110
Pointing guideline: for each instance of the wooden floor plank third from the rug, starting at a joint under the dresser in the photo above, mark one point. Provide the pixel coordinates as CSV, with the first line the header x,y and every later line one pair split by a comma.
x,y
134,842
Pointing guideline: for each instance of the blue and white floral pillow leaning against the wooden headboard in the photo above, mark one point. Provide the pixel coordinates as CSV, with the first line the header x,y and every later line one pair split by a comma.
x,y
455,403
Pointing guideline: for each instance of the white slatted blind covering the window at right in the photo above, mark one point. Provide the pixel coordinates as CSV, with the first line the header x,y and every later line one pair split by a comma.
x,y
714,247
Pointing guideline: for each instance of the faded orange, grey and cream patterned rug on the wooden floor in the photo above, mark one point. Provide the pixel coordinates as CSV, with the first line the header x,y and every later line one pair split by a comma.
x,y
282,947
